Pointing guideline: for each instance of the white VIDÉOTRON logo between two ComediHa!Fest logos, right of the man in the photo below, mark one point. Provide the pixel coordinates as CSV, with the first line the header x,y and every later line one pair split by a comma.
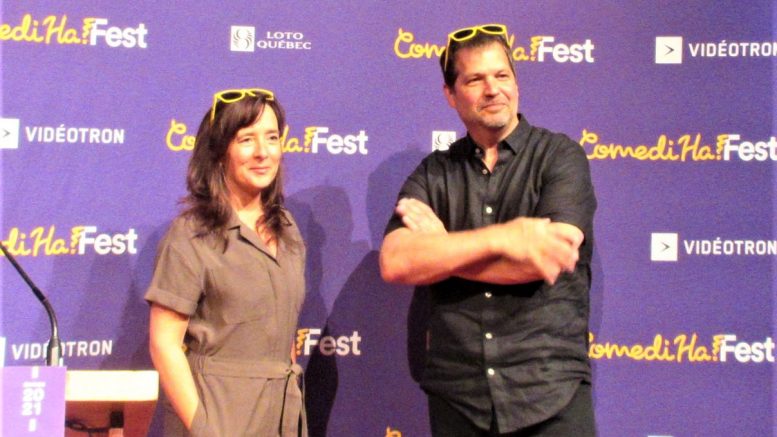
x,y
666,246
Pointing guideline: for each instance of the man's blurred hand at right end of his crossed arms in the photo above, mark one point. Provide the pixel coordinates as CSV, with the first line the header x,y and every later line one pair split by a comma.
x,y
551,248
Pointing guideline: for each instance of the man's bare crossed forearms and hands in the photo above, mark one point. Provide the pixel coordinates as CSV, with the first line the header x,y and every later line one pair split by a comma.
x,y
519,251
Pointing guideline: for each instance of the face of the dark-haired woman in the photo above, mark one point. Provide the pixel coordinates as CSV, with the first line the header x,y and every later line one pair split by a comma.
x,y
253,156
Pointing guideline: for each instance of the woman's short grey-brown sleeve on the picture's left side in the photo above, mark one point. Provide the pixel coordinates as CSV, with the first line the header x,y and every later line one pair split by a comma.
x,y
177,282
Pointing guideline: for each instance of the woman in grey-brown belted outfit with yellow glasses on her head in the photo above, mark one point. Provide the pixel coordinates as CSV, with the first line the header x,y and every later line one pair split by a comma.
x,y
228,282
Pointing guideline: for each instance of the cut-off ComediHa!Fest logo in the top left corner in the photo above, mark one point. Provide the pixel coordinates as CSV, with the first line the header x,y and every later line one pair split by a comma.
x,y
58,29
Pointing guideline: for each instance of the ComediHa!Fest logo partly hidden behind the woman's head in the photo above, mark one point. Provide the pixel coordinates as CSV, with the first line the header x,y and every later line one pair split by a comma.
x,y
316,140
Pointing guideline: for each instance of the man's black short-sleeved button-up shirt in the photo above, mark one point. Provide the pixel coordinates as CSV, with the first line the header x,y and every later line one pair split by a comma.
x,y
521,349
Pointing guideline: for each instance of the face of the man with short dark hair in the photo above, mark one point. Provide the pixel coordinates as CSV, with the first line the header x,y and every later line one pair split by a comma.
x,y
485,93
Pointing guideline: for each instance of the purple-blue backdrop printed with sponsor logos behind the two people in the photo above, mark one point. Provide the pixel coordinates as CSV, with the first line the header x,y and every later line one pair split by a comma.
x,y
673,102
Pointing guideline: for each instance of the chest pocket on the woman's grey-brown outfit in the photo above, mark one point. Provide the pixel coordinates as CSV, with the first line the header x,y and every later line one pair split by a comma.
x,y
240,293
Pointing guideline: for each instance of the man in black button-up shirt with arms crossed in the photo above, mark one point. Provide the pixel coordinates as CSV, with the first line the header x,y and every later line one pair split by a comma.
x,y
500,227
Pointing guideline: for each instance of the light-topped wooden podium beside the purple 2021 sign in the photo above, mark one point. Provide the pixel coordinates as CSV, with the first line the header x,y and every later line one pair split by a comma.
x,y
93,397
